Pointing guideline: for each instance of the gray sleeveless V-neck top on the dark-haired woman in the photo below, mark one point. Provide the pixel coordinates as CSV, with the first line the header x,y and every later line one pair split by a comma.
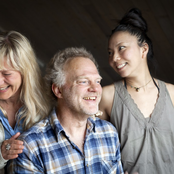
x,y
147,145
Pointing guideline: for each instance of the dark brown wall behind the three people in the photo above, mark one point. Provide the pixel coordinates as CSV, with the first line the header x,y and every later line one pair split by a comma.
x,y
52,25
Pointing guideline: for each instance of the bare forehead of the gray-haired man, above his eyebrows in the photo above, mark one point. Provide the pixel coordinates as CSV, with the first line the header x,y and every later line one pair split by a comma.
x,y
80,66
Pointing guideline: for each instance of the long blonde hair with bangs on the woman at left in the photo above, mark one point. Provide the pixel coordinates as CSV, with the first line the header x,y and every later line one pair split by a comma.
x,y
16,51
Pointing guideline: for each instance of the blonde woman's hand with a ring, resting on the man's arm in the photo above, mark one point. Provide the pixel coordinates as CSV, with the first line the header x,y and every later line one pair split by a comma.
x,y
11,148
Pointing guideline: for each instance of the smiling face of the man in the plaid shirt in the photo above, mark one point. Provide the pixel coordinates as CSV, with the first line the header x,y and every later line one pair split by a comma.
x,y
82,90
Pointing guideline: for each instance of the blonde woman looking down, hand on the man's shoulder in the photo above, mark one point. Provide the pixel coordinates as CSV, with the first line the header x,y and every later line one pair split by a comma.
x,y
22,98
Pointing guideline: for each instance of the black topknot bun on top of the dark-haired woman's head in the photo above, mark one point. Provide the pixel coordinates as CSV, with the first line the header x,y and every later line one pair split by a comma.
x,y
135,19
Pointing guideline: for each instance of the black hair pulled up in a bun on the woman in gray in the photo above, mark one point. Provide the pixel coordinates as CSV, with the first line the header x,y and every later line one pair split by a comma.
x,y
136,25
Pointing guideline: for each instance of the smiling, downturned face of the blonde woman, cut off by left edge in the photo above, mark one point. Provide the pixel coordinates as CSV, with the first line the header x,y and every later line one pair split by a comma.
x,y
10,83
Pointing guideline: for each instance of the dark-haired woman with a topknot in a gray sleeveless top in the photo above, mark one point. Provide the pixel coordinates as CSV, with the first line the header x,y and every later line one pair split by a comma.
x,y
140,106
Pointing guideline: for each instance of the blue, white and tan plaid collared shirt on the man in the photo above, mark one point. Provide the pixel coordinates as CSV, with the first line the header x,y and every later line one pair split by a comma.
x,y
48,149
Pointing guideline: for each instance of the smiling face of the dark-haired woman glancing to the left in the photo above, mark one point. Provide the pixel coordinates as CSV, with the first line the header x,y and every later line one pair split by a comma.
x,y
125,55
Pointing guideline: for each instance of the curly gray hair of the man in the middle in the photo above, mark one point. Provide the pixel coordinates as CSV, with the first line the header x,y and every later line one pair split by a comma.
x,y
55,73
